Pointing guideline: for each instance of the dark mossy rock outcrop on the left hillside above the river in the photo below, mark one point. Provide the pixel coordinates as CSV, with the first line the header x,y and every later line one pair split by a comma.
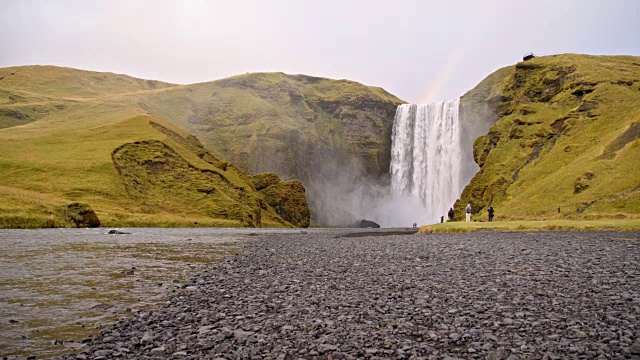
x,y
161,180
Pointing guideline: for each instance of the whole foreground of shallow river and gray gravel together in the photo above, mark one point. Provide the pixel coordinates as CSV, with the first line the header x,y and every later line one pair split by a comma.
x,y
319,294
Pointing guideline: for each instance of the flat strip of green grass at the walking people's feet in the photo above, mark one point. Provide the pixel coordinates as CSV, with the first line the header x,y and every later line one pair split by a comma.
x,y
543,225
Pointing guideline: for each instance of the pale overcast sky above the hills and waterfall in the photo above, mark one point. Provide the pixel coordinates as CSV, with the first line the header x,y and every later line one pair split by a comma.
x,y
421,51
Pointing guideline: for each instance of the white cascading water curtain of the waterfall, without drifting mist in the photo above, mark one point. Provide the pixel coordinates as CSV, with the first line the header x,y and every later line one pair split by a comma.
x,y
427,156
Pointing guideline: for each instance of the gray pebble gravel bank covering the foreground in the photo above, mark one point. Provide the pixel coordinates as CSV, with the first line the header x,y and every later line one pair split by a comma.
x,y
472,296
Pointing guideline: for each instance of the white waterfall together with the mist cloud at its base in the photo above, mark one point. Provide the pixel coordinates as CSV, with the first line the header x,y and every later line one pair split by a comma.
x,y
431,162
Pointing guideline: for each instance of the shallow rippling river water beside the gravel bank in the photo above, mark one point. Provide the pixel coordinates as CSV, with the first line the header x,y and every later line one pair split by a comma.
x,y
58,286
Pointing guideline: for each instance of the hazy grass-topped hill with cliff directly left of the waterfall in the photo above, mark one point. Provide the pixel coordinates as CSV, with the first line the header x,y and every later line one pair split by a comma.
x,y
287,124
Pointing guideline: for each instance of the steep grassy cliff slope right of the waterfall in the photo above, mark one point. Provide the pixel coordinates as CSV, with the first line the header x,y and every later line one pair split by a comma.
x,y
565,136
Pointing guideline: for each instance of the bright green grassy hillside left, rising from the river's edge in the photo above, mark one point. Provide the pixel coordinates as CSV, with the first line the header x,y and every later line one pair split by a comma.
x,y
105,152
